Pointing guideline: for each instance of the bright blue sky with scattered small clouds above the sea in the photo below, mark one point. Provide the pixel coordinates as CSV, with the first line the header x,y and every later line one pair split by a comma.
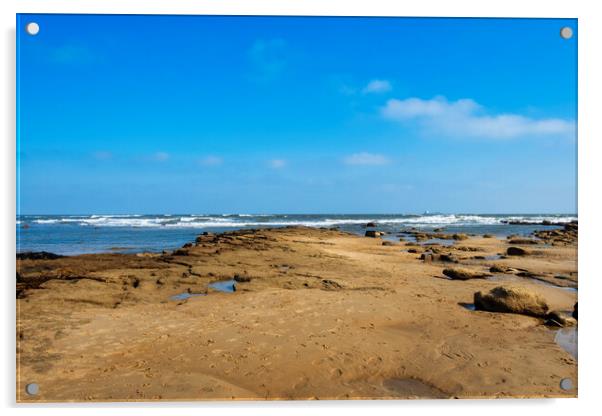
x,y
216,114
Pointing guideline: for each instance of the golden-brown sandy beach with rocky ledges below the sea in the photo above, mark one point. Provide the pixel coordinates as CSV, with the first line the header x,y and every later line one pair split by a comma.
x,y
316,314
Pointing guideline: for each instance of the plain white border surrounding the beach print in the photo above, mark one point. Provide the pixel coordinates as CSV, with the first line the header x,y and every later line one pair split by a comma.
x,y
590,209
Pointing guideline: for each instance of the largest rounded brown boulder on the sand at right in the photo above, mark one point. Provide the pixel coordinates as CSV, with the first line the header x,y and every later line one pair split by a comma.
x,y
511,299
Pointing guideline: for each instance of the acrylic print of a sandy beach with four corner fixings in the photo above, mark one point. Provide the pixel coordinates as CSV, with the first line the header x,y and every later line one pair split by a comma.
x,y
220,207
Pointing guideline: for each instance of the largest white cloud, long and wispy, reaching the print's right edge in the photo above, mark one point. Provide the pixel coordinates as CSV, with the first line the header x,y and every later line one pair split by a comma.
x,y
466,118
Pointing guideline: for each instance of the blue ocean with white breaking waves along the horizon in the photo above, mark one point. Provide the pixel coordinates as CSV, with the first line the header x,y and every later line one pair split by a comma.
x,y
79,234
